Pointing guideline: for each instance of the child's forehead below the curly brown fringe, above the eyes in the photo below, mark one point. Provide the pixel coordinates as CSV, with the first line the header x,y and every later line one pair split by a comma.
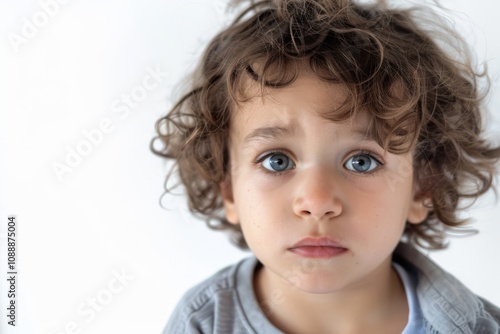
x,y
284,107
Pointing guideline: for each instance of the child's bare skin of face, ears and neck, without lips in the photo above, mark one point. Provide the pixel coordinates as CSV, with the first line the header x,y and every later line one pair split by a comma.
x,y
319,193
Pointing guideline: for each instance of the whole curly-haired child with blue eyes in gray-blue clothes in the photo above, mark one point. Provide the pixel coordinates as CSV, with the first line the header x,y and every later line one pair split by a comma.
x,y
323,134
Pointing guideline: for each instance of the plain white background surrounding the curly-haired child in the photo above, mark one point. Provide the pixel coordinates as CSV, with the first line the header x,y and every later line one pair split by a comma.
x,y
103,218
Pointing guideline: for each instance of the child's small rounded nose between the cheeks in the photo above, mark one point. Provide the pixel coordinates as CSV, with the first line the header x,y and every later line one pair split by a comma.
x,y
317,196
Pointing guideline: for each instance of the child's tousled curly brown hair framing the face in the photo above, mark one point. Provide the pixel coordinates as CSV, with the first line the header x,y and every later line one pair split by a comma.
x,y
391,62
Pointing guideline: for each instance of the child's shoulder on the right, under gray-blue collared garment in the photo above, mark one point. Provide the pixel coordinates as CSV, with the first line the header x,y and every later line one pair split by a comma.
x,y
448,306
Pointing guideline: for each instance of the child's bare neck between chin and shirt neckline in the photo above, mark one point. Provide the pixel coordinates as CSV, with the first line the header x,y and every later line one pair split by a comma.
x,y
378,302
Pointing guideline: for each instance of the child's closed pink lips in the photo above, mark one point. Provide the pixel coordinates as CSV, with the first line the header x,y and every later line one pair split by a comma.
x,y
319,248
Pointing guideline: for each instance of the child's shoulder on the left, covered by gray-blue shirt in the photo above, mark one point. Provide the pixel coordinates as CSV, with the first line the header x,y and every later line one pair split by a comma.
x,y
215,302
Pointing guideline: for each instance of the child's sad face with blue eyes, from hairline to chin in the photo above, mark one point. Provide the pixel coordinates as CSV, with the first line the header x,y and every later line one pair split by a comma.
x,y
296,175
